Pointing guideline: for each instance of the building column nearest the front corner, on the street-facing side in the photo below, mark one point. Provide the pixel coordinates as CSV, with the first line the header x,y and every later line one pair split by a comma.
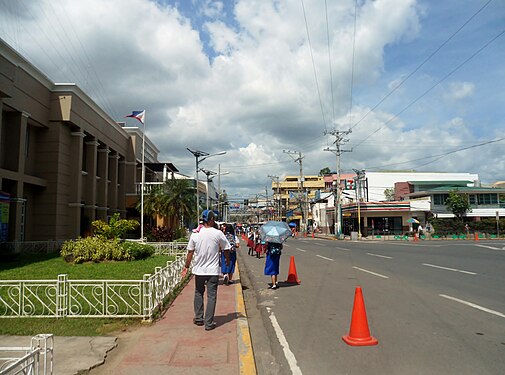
x,y
76,181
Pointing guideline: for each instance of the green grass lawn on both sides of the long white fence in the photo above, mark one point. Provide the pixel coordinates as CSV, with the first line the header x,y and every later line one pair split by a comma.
x,y
48,267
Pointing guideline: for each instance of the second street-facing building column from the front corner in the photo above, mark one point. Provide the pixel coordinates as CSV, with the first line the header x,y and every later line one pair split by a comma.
x,y
90,189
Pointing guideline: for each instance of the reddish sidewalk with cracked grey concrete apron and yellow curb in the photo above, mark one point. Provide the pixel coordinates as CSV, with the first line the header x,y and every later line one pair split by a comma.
x,y
171,345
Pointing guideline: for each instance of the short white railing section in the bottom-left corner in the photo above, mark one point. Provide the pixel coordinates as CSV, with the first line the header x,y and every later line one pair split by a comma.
x,y
34,359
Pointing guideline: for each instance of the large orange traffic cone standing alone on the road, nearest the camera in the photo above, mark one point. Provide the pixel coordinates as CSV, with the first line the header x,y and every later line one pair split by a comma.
x,y
359,334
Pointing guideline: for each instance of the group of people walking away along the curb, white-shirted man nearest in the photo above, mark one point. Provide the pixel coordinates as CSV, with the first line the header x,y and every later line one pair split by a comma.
x,y
213,251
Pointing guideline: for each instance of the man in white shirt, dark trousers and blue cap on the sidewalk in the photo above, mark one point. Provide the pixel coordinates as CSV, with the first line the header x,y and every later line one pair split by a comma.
x,y
204,246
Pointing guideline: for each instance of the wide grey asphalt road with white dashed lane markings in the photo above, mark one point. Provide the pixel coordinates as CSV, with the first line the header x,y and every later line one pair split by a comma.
x,y
436,307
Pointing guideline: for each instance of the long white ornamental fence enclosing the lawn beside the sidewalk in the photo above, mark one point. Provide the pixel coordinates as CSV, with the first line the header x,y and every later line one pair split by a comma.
x,y
93,298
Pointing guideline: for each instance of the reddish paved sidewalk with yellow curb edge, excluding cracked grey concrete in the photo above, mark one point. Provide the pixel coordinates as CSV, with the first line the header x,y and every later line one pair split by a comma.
x,y
175,345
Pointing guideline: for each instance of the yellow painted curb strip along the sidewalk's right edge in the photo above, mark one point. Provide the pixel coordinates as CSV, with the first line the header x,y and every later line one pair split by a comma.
x,y
246,356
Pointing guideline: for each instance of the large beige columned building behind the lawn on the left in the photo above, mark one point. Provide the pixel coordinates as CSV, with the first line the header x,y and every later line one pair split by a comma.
x,y
63,161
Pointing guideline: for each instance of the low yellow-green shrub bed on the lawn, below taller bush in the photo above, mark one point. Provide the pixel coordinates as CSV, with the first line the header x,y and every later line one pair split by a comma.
x,y
93,249
